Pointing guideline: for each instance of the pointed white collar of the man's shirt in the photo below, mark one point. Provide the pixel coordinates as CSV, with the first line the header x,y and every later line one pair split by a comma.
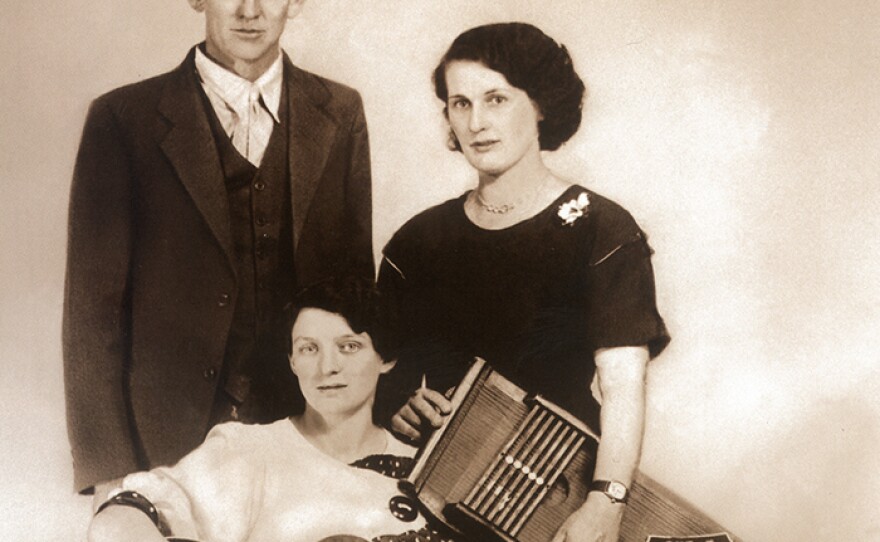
x,y
235,90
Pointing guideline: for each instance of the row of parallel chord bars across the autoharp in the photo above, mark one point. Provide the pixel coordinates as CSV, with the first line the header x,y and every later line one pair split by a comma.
x,y
524,470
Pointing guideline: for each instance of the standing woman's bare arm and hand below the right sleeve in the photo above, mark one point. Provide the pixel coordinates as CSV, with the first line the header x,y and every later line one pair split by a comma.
x,y
621,374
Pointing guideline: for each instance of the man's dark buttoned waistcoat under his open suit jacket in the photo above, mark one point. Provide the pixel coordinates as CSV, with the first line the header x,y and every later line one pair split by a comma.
x,y
261,224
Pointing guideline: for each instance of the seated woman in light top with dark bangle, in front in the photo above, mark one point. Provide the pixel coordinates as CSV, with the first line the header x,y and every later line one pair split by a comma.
x,y
326,472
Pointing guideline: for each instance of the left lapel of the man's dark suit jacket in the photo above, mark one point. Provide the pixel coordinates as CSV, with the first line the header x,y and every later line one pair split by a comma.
x,y
190,147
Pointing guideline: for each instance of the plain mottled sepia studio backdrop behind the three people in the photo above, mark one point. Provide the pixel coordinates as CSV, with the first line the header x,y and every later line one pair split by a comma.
x,y
744,136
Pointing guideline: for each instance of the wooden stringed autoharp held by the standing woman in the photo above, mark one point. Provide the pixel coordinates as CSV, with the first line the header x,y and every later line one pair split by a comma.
x,y
511,467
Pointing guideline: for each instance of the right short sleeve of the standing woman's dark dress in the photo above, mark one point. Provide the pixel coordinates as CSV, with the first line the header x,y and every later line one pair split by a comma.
x,y
622,301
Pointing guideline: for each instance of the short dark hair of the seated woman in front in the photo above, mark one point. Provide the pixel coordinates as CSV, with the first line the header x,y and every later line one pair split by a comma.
x,y
357,300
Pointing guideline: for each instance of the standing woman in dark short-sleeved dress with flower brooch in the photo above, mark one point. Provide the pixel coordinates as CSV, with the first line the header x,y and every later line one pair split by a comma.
x,y
548,281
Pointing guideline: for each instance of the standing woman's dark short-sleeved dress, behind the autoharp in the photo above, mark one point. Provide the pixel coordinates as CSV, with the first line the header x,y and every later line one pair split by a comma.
x,y
535,300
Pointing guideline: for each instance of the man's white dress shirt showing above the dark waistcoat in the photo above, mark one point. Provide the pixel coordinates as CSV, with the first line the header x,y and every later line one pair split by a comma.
x,y
248,111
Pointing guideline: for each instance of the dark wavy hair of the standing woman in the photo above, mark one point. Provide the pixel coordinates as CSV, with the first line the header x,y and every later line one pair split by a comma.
x,y
531,61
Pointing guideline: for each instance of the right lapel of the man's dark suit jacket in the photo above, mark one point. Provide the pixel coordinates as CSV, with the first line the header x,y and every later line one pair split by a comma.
x,y
312,132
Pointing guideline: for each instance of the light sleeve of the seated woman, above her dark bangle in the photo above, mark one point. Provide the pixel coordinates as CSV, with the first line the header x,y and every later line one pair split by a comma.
x,y
213,493
